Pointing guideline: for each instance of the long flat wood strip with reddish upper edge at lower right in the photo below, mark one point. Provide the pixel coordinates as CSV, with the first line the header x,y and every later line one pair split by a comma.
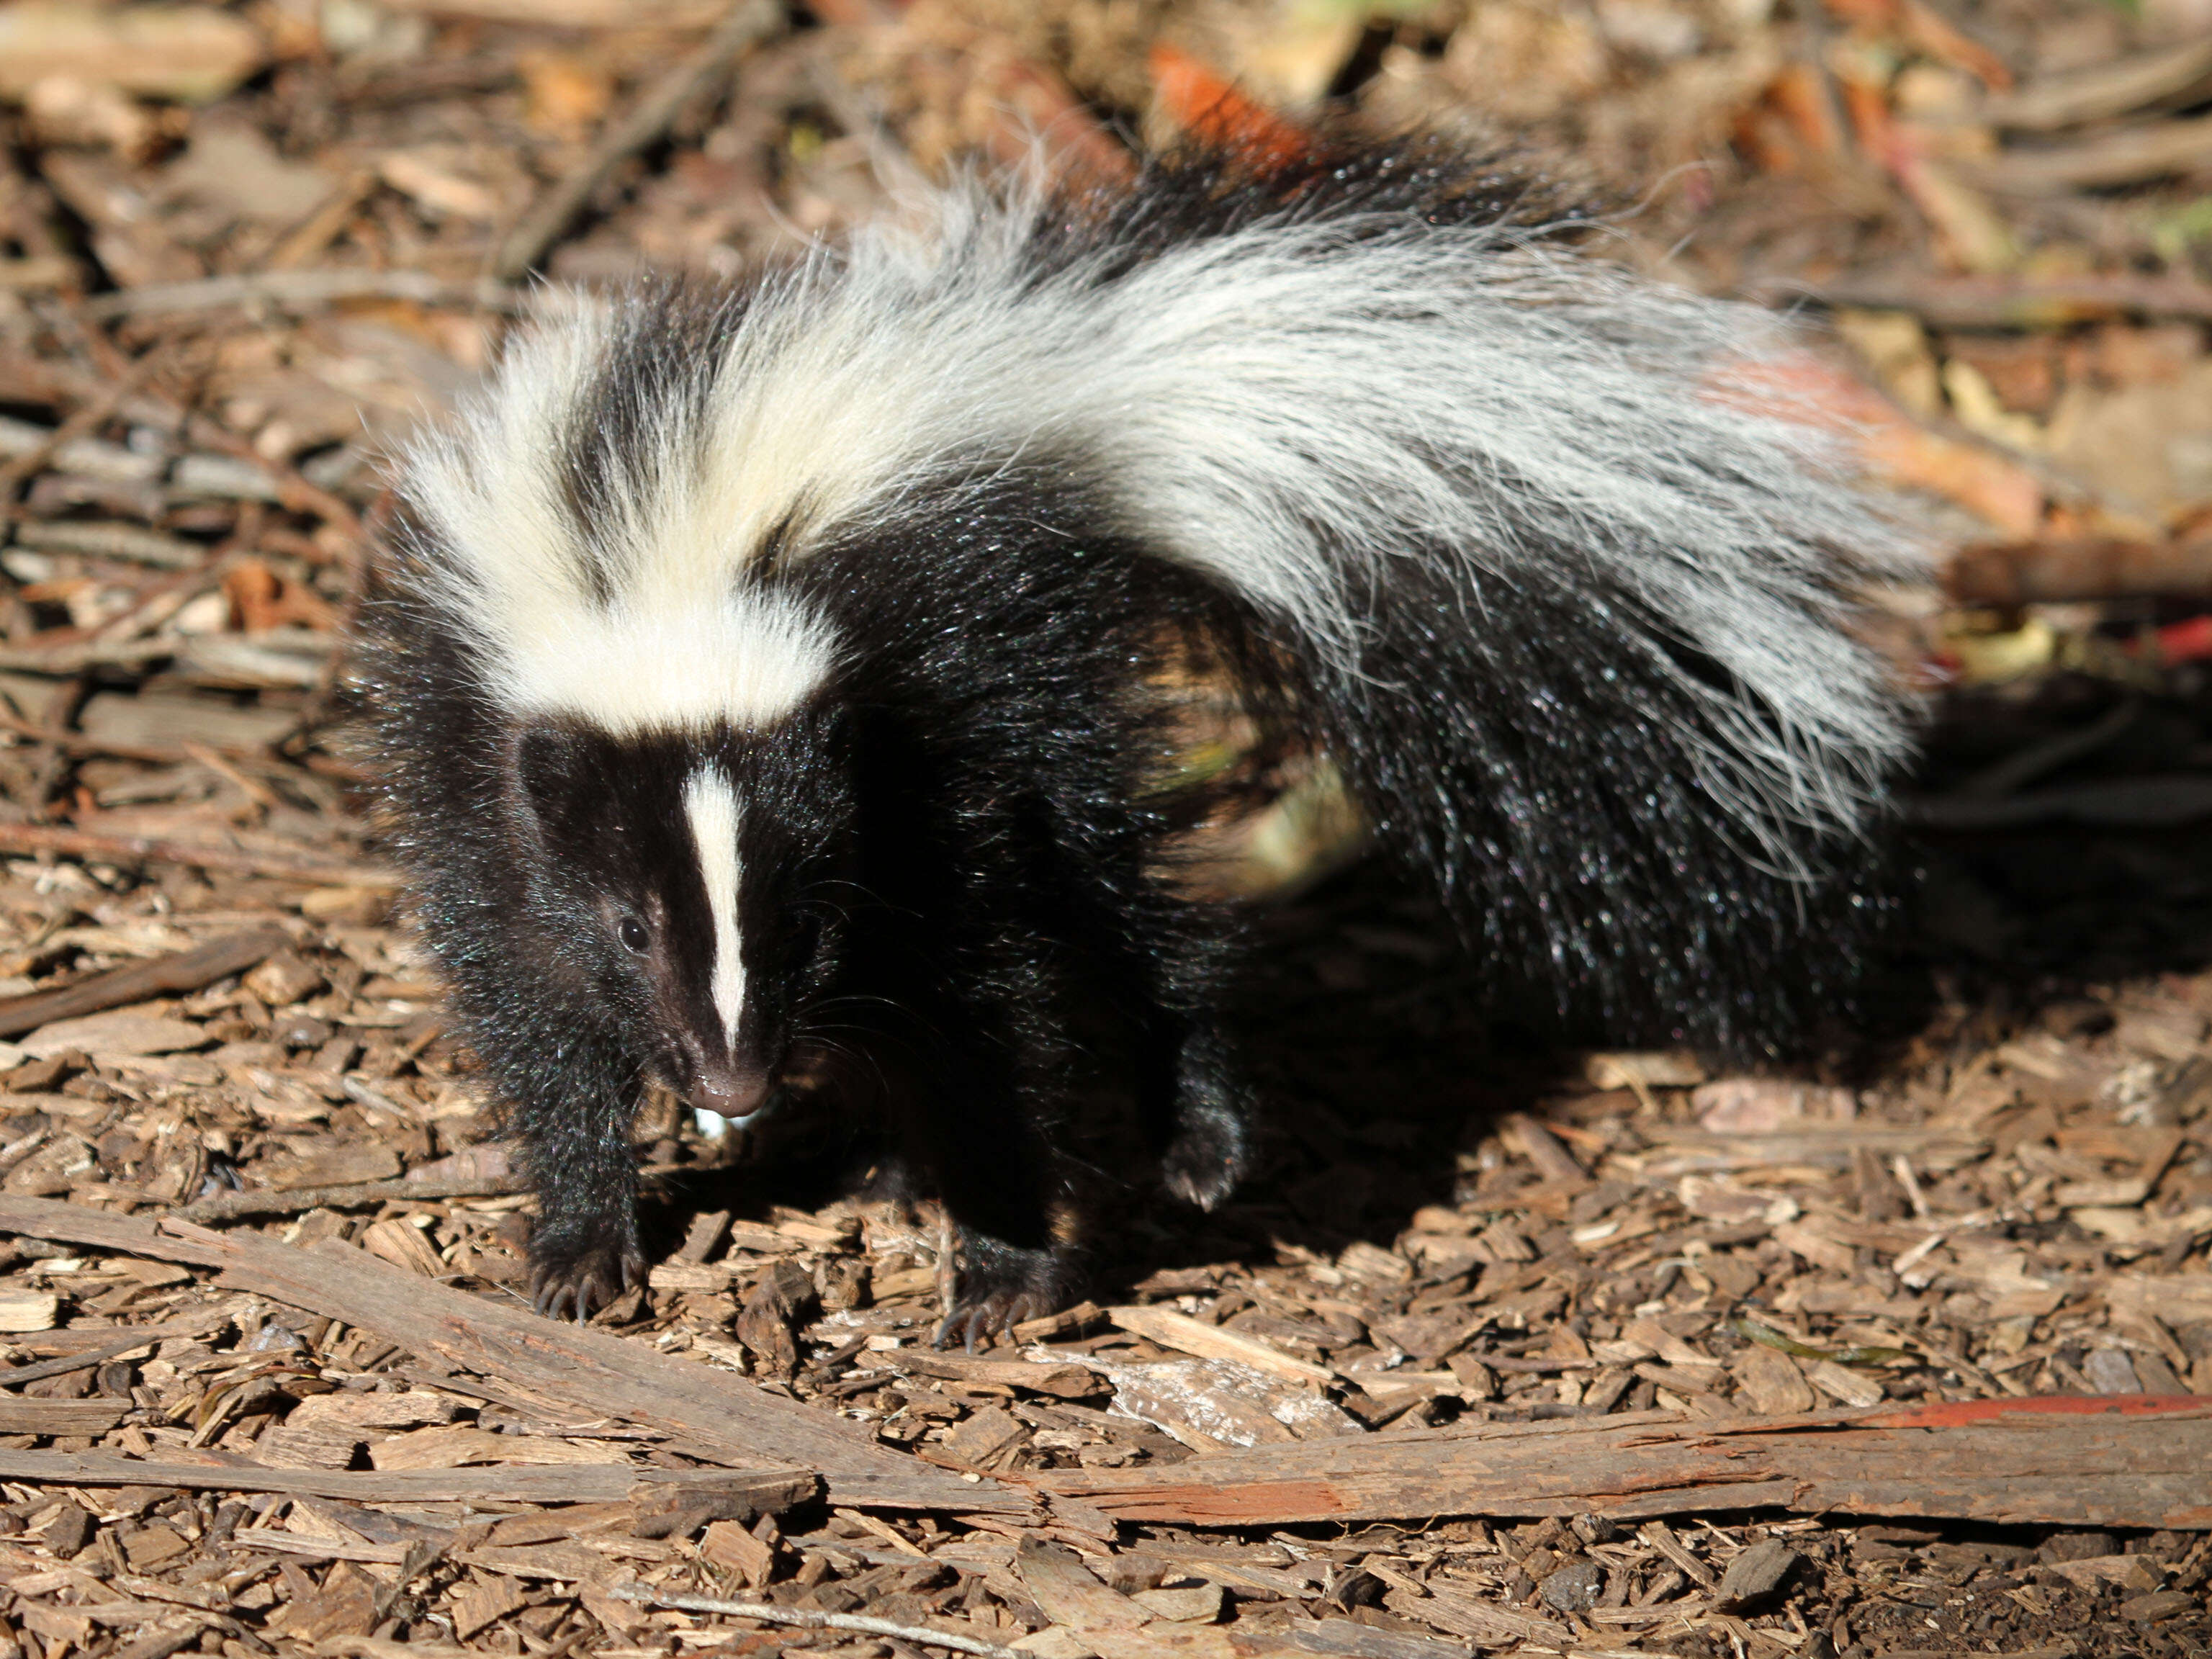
x,y
2109,1461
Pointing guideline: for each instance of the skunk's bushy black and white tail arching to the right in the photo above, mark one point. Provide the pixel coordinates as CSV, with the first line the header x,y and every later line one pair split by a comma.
x,y
1563,570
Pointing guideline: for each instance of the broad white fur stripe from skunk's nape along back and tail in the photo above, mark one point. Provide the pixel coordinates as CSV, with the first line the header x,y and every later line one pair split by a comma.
x,y
1286,410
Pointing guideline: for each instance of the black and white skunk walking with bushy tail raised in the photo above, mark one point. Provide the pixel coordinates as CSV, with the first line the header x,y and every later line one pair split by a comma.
x,y
766,676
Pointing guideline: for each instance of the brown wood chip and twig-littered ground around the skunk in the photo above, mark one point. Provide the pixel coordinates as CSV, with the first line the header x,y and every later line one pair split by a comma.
x,y
1512,1346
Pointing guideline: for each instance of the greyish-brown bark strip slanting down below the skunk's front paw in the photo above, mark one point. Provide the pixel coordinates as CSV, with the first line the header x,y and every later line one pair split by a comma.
x,y
711,1415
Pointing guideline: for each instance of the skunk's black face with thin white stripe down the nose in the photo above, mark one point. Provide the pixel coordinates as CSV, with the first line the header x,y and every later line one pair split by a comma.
x,y
698,886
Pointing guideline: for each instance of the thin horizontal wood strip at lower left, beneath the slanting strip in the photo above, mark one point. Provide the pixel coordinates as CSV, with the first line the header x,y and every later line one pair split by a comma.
x,y
581,1483
